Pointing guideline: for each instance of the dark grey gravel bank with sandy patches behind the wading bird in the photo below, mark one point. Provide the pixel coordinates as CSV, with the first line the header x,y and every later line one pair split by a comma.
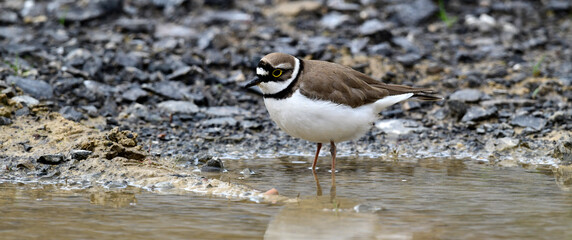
x,y
168,73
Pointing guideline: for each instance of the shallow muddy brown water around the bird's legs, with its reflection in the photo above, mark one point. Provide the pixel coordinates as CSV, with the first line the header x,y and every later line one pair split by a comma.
x,y
371,199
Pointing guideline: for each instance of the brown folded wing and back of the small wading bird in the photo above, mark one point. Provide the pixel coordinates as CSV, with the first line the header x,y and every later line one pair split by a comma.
x,y
343,85
